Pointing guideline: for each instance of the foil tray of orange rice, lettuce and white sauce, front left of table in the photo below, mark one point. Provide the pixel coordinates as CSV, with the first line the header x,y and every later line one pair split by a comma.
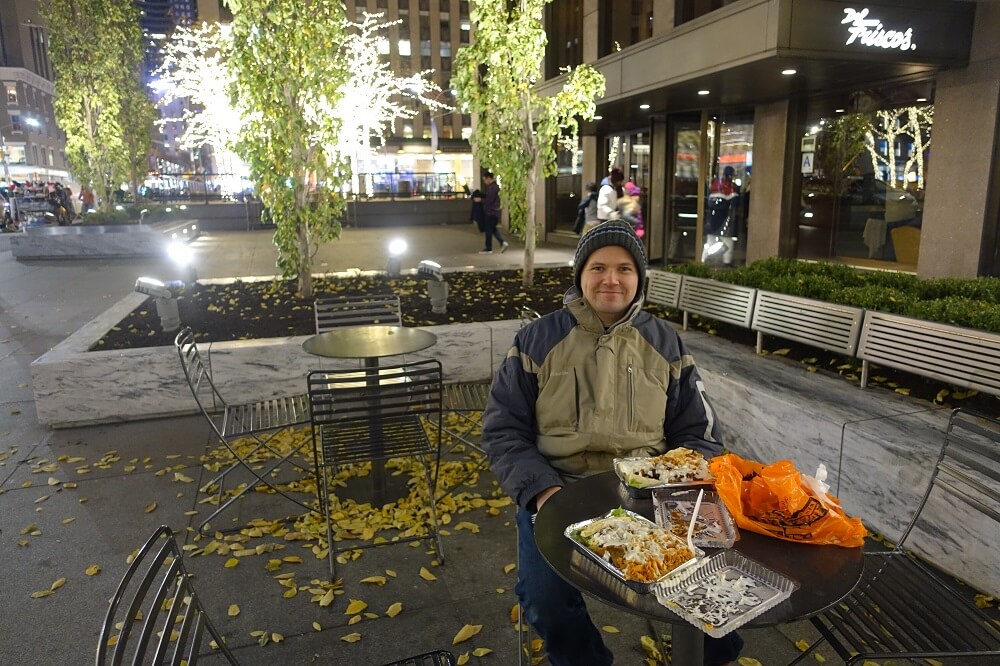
x,y
643,535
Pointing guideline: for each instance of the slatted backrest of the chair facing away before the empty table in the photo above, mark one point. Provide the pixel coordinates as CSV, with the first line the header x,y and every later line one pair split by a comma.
x,y
374,414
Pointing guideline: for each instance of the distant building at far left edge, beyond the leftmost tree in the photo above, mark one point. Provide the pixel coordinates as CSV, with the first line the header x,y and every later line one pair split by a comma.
x,y
33,145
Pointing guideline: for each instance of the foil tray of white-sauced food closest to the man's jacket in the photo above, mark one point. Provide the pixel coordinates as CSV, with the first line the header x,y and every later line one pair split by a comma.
x,y
679,468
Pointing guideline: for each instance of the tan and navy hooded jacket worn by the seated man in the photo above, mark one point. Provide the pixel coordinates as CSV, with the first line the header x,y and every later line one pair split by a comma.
x,y
570,396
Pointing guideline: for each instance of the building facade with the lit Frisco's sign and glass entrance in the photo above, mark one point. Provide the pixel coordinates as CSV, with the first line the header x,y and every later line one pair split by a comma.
x,y
862,132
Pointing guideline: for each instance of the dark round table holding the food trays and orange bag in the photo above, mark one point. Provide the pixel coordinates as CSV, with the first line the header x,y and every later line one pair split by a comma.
x,y
825,574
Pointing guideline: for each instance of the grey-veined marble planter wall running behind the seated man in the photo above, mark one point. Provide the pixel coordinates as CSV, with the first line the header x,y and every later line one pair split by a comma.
x,y
878,447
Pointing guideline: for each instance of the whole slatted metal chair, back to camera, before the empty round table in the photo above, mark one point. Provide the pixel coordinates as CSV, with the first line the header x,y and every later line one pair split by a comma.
x,y
380,417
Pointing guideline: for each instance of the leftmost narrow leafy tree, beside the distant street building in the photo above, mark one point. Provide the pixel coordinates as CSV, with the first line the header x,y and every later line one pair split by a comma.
x,y
96,48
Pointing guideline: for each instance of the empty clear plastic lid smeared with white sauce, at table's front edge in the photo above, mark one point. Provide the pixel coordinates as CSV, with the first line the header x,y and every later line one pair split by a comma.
x,y
724,593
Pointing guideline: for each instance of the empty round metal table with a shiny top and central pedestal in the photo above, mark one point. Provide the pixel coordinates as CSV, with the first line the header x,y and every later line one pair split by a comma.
x,y
370,342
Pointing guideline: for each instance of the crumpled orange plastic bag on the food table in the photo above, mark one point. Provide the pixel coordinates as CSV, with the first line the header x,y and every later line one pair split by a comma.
x,y
777,500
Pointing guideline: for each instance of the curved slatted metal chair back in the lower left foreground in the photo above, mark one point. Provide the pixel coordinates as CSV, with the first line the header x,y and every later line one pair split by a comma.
x,y
161,618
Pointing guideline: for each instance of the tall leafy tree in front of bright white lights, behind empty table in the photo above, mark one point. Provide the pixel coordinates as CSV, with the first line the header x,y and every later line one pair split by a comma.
x,y
289,68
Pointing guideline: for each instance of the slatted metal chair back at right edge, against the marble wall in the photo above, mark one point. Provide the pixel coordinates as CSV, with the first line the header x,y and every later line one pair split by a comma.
x,y
967,470
